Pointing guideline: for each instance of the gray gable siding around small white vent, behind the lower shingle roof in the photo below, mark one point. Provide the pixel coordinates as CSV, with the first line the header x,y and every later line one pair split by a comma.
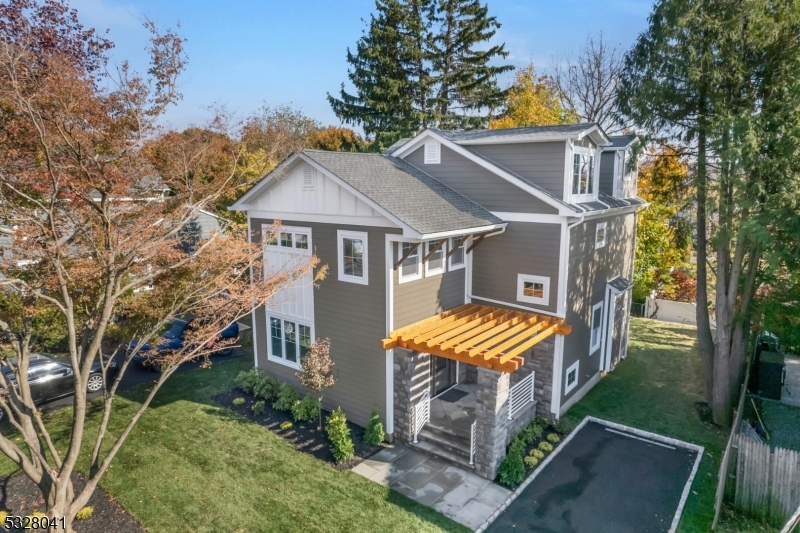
x,y
478,184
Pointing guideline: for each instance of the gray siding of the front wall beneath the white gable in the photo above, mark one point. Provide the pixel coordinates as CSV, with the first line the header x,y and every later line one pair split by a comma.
x,y
351,315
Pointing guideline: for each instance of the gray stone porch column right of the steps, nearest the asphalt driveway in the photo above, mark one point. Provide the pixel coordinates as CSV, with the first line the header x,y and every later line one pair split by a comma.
x,y
491,413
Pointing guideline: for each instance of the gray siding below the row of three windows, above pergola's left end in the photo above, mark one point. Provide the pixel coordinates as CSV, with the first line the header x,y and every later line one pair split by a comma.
x,y
425,297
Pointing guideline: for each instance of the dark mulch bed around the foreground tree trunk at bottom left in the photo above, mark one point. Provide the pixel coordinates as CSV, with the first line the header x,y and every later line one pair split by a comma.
x,y
19,496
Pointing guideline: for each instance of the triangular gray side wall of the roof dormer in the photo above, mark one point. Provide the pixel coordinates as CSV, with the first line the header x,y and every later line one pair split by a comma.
x,y
542,163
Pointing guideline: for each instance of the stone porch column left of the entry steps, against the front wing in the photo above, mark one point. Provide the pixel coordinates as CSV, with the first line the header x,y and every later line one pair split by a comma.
x,y
411,380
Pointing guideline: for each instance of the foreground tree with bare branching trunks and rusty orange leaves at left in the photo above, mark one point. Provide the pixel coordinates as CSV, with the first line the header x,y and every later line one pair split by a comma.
x,y
82,172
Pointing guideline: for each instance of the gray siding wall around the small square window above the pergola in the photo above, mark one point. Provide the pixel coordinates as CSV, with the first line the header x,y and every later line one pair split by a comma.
x,y
524,248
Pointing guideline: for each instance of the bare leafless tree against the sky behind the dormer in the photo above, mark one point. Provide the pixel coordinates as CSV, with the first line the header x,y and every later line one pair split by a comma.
x,y
587,84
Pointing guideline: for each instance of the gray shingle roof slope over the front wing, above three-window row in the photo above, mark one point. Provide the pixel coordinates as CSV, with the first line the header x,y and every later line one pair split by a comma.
x,y
415,198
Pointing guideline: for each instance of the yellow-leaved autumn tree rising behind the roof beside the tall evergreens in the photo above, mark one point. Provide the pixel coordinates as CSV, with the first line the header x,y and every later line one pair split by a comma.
x,y
532,101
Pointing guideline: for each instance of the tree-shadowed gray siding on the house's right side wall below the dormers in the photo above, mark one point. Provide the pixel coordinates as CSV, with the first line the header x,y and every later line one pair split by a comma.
x,y
589,270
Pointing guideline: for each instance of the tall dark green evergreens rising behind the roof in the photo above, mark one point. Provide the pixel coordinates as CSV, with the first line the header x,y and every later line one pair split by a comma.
x,y
417,66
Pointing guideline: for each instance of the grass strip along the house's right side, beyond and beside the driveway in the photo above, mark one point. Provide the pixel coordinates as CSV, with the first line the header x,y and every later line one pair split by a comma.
x,y
656,389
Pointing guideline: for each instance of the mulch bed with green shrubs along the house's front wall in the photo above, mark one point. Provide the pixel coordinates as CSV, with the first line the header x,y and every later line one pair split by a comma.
x,y
304,436
